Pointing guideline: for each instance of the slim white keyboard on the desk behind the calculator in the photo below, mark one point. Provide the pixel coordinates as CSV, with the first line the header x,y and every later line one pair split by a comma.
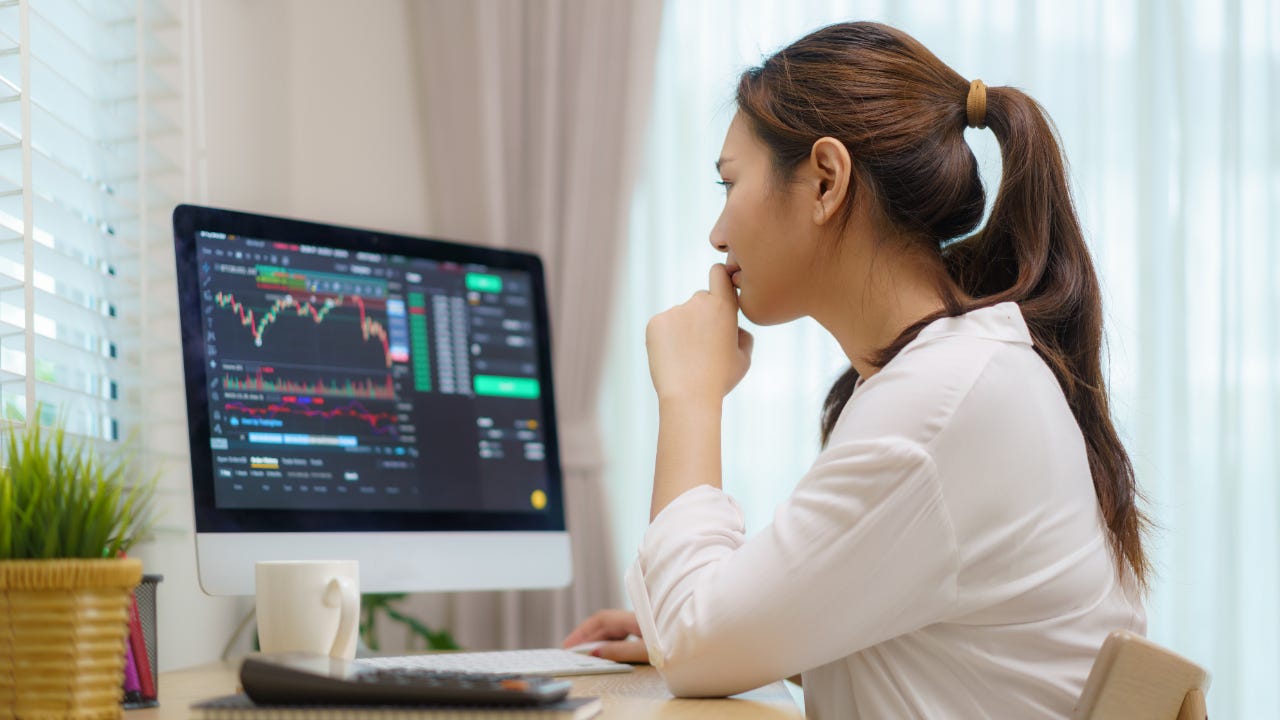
x,y
550,662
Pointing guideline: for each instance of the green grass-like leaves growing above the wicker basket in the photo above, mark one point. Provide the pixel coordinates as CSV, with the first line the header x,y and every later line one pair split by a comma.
x,y
62,499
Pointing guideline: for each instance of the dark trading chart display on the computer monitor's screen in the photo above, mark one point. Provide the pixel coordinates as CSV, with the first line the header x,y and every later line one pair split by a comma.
x,y
364,381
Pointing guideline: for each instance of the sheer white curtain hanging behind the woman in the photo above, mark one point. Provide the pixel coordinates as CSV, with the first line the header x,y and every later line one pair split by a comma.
x,y
1168,115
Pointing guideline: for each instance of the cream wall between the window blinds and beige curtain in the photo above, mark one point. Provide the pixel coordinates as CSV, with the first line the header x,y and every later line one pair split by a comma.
x,y
309,111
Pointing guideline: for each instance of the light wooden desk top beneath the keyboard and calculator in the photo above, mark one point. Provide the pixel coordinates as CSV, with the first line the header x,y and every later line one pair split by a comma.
x,y
639,695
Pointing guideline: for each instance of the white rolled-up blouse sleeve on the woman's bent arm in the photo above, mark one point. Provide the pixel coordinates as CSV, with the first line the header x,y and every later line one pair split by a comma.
x,y
861,553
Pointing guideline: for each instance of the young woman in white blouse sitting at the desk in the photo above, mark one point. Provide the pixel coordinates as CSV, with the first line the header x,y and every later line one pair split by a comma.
x,y
970,534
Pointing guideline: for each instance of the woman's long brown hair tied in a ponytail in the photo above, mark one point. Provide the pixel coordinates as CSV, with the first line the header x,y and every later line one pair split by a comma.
x,y
902,115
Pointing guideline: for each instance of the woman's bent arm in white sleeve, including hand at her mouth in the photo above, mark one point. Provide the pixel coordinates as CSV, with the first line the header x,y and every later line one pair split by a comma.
x,y
861,553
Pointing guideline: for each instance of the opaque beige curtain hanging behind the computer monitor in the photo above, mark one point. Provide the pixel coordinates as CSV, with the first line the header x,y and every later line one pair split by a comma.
x,y
532,115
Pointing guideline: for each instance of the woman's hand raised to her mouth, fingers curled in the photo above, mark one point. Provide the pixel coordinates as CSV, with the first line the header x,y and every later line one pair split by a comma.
x,y
697,349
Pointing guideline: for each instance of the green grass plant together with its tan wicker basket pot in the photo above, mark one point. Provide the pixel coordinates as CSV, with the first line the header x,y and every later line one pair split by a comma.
x,y
67,516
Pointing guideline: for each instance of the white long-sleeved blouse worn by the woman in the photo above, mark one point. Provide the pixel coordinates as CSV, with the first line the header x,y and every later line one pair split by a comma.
x,y
944,558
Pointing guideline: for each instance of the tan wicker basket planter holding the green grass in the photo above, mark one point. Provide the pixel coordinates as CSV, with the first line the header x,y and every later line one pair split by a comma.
x,y
63,626
